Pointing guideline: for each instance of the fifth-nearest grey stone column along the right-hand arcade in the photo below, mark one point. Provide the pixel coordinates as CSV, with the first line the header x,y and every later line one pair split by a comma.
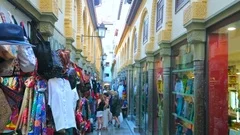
x,y
130,90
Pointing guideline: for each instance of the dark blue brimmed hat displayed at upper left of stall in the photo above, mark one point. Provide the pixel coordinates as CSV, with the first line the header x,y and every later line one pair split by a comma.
x,y
12,34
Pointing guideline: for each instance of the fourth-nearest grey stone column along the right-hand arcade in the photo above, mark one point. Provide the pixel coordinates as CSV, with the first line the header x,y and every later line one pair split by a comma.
x,y
138,83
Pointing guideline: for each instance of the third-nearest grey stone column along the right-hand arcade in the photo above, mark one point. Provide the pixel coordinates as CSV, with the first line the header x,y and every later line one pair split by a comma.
x,y
152,99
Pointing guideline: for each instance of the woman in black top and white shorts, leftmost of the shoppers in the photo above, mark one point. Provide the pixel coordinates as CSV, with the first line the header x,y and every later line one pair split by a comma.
x,y
100,108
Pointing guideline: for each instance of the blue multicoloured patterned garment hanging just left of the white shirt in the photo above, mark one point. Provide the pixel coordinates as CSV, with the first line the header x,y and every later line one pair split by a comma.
x,y
37,124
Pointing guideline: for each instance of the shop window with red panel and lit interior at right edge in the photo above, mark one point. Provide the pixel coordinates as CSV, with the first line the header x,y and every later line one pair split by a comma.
x,y
224,79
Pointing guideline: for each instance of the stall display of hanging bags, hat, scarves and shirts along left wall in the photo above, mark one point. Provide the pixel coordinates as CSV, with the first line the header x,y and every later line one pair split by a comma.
x,y
41,90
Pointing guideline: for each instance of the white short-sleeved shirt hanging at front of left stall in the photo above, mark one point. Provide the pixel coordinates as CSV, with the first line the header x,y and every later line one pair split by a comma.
x,y
61,99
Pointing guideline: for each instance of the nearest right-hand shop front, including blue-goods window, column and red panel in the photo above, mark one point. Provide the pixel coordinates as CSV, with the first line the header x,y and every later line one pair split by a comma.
x,y
204,78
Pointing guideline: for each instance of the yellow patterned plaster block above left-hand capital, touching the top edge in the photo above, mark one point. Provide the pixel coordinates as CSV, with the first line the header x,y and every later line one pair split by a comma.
x,y
49,6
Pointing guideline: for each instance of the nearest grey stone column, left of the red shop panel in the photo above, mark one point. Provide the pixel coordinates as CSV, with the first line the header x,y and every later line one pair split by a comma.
x,y
197,38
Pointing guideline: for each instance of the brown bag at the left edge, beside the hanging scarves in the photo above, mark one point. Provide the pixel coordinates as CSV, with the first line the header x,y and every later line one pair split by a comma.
x,y
5,112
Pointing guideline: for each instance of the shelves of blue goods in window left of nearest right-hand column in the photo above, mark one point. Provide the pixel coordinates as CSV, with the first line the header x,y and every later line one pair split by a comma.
x,y
183,95
